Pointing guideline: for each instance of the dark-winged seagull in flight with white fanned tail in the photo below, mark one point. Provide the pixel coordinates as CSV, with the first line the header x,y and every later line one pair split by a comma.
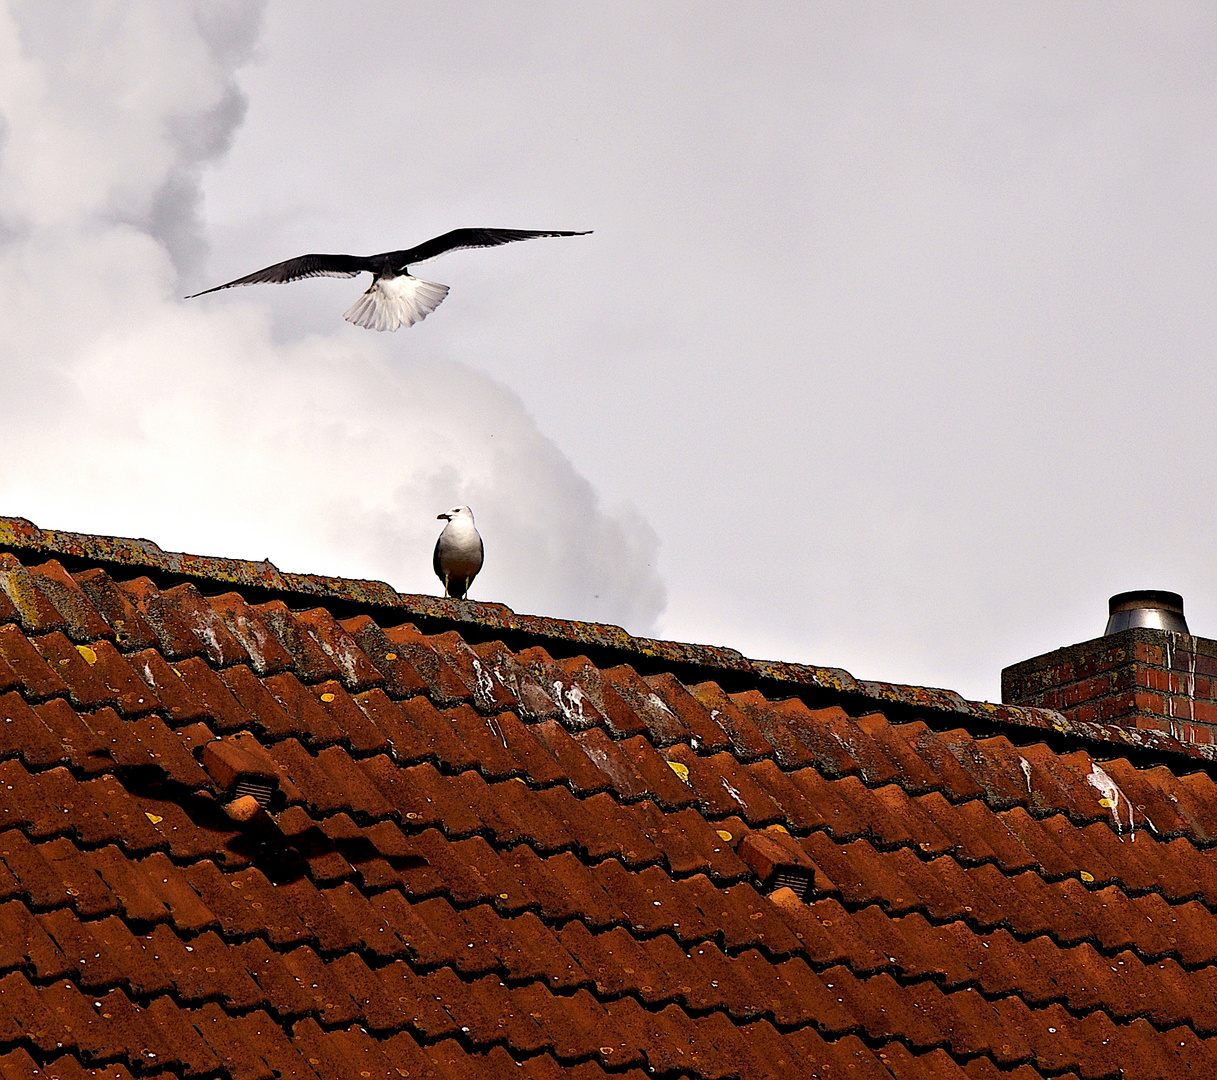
x,y
395,298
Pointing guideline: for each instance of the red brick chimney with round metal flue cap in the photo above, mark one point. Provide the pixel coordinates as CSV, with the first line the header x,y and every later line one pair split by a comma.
x,y
1147,671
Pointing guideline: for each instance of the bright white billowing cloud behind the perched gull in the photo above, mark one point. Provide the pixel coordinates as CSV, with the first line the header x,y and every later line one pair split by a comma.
x,y
130,412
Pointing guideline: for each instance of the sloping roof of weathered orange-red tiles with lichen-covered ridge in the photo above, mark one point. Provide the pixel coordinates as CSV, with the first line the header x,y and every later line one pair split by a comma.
x,y
260,826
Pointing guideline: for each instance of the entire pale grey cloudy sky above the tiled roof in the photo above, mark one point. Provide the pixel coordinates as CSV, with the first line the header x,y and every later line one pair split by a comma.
x,y
893,349
